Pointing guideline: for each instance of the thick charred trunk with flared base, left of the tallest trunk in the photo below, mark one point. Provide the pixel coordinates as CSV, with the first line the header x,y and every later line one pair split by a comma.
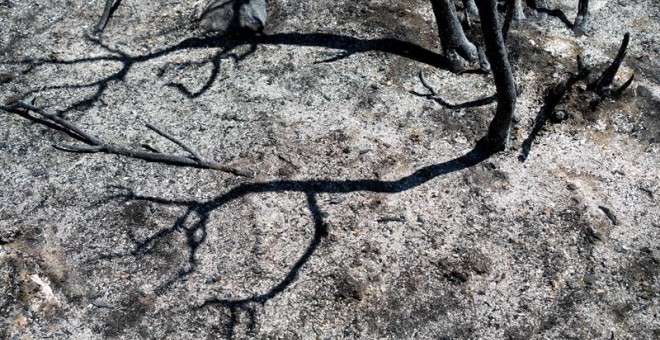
x,y
451,33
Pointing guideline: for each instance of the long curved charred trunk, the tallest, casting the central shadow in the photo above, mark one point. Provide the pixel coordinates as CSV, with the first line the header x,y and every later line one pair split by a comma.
x,y
498,131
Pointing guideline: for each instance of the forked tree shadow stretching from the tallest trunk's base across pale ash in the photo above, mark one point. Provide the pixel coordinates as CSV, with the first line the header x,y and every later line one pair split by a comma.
x,y
193,223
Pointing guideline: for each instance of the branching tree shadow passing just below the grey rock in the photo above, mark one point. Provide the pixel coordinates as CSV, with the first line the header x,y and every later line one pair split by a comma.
x,y
349,45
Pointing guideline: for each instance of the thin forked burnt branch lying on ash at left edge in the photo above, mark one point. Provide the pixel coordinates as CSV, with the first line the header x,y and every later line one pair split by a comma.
x,y
96,145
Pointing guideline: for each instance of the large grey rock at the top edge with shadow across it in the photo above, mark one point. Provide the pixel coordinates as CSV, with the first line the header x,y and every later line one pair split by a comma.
x,y
234,16
